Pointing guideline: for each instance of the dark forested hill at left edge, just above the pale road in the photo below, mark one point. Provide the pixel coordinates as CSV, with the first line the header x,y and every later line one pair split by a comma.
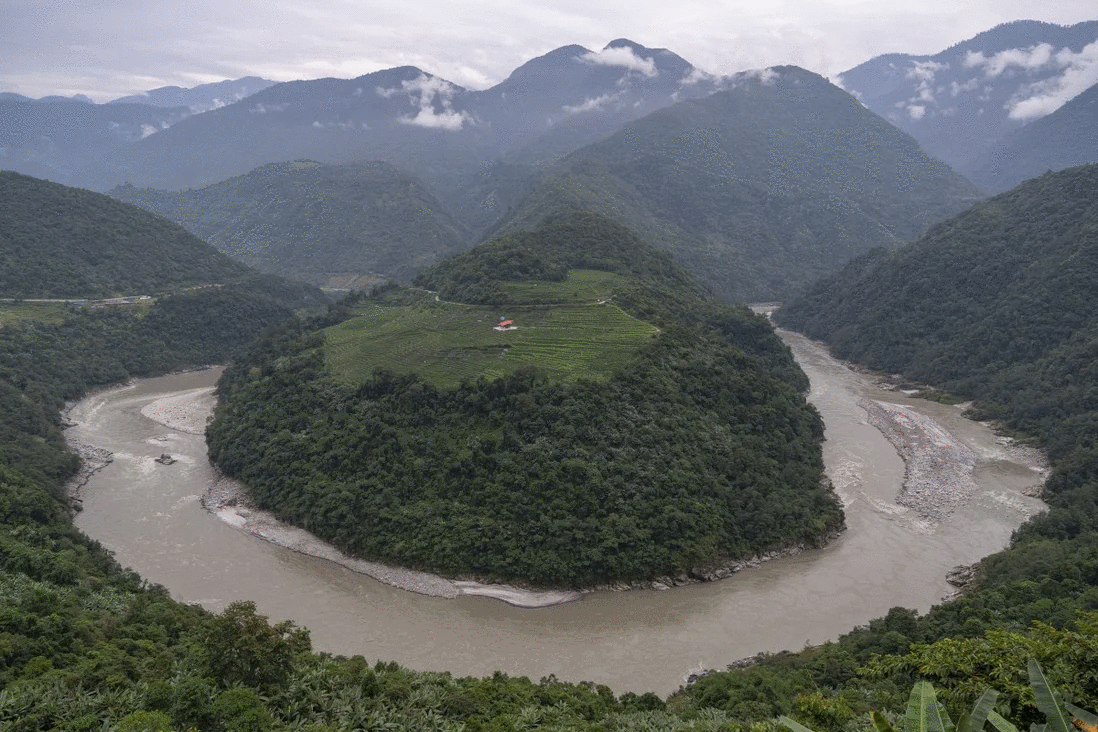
x,y
60,242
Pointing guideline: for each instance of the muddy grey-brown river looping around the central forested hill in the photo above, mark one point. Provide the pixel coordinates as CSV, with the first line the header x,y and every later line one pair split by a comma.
x,y
150,515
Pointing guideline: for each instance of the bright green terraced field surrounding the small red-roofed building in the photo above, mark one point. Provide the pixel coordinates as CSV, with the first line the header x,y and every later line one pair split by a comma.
x,y
445,343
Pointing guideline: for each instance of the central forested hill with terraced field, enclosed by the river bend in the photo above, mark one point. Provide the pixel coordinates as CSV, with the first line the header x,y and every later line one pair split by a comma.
x,y
625,429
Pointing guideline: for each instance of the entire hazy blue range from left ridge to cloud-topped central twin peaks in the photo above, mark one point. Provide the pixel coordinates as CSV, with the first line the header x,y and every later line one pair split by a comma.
x,y
436,130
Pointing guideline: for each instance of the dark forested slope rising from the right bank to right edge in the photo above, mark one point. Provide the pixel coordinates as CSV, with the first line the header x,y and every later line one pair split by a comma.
x,y
999,305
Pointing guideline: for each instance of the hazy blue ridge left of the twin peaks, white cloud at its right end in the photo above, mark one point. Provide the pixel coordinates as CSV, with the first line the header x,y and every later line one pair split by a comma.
x,y
401,116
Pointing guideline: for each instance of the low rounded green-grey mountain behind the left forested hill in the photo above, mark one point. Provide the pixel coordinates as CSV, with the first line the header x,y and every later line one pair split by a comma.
x,y
321,223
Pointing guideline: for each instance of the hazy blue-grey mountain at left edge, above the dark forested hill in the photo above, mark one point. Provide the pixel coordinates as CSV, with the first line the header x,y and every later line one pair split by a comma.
x,y
58,139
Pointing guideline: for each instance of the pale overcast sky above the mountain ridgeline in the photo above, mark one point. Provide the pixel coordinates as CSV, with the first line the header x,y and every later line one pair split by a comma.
x,y
108,49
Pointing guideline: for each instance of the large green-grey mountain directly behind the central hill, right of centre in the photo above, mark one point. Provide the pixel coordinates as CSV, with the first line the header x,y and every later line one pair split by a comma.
x,y
758,189
